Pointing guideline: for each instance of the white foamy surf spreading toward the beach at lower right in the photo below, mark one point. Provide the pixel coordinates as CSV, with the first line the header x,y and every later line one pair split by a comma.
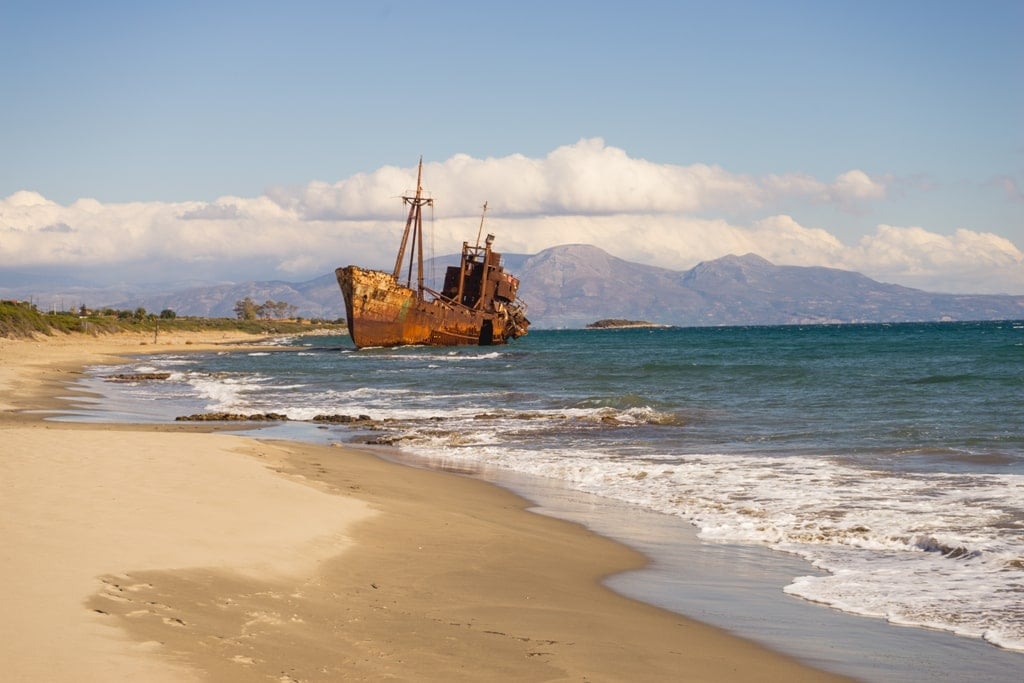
x,y
867,530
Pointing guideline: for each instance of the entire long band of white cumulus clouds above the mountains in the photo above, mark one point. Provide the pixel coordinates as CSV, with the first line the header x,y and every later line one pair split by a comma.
x,y
589,193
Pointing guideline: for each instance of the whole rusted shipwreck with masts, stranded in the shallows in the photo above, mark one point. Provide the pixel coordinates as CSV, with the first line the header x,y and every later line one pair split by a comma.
x,y
478,305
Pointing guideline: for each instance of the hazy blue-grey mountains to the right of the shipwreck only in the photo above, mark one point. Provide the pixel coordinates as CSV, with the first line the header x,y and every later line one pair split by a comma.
x,y
571,286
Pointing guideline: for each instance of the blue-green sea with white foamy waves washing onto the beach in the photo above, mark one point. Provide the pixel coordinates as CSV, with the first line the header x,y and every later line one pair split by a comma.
x,y
868,474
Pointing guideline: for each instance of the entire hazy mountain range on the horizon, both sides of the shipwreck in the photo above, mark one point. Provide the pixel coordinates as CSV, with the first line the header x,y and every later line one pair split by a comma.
x,y
571,286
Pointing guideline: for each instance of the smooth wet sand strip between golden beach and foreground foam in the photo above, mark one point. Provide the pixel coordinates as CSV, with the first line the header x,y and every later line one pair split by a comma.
x,y
740,589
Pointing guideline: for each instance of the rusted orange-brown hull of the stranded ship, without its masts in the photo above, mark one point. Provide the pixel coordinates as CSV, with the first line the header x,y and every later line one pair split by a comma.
x,y
383,313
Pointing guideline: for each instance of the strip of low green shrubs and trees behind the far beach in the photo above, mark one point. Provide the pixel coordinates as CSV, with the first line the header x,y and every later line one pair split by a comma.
x,y
23,320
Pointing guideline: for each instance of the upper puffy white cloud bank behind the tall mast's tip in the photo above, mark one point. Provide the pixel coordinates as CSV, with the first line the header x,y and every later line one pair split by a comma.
x,y
587,179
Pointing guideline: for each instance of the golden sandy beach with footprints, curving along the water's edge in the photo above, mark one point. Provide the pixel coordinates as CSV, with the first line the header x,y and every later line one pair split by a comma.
x,y
176,553
